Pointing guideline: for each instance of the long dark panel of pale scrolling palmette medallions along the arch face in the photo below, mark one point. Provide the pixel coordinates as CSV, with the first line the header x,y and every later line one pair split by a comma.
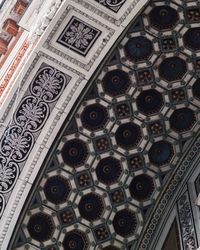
x,y
29,118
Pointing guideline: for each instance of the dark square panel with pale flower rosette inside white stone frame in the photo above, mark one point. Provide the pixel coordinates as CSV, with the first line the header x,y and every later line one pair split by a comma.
x,y
78,36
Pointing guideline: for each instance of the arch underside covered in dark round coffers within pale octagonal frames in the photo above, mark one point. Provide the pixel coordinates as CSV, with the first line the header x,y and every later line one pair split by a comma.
x,y
124,138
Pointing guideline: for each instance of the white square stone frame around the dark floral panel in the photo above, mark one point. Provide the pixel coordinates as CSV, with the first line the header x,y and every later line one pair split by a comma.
x,y
105,34
